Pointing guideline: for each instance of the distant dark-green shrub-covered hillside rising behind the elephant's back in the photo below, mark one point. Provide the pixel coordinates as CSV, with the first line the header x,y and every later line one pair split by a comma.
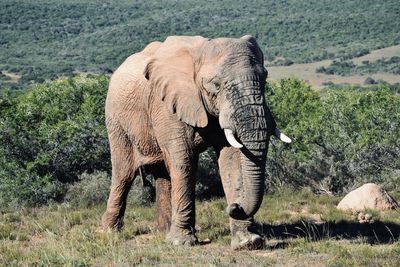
x,y
45,38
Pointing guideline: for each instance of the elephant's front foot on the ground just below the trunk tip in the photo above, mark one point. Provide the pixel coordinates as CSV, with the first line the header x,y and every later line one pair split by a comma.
x,y
245,236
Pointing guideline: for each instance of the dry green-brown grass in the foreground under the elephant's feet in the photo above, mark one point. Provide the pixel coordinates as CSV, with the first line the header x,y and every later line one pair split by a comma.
x,y
301,229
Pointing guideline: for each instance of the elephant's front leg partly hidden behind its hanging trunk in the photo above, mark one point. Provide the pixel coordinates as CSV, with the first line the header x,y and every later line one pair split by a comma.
x,y
244,232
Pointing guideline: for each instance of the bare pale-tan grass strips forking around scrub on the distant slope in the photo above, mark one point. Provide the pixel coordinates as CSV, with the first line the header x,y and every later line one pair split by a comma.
x,y
308,71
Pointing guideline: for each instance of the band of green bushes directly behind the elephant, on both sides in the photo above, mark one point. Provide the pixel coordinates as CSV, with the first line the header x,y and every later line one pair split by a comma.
x,y
53,132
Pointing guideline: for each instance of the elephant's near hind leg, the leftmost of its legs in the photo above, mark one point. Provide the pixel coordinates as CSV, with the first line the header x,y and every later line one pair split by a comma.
x,y
124,167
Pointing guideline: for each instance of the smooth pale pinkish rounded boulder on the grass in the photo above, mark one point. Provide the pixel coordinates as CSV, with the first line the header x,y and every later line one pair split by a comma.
x,y
368,196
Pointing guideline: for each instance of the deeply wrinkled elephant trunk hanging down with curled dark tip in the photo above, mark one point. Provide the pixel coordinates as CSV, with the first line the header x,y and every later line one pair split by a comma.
x,y
250,121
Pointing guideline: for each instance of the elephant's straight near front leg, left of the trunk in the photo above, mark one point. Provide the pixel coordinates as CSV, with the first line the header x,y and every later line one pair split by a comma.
x,y
182,170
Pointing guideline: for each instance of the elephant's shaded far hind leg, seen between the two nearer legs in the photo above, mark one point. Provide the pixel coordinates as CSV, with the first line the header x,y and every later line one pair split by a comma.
x,y
163,197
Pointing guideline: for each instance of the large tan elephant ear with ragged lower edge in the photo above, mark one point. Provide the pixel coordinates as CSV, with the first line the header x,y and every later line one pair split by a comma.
x,y
171,72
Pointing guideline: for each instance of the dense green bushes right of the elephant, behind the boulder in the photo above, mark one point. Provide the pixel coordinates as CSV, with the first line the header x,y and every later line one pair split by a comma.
x,y
340,140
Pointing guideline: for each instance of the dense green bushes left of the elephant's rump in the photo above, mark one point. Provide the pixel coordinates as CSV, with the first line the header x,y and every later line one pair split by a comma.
x,y
50,134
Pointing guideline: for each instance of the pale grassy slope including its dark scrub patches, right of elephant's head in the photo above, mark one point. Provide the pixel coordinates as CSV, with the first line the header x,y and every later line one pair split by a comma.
x,y
379,66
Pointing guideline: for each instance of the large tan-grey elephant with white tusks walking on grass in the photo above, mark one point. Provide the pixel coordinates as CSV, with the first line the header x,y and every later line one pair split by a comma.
x,y
173,100
